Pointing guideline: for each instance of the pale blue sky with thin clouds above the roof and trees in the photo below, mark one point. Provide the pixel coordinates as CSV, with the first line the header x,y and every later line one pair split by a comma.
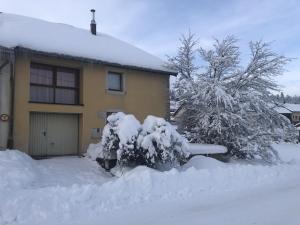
x,y
156,25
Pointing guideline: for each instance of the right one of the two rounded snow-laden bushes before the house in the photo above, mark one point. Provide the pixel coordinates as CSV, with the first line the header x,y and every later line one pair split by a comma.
x,y
160,143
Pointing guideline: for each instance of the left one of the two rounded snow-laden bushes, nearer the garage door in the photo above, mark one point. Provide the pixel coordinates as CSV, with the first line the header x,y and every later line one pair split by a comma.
x,y
119,138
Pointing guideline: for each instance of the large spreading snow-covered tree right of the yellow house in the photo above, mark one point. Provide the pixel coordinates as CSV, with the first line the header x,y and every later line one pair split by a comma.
x,y
230,104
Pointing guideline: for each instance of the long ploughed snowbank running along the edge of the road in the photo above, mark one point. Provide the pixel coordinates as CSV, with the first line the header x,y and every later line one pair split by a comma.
x,y
67,205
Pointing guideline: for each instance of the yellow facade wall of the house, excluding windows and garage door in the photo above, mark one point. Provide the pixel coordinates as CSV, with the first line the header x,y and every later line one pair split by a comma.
x,y
145,94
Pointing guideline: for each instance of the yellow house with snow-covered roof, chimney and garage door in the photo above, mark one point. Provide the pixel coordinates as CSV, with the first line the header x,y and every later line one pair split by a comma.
x,y
58,84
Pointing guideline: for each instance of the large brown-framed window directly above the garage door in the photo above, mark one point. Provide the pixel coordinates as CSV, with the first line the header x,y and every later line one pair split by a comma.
x,y
50,84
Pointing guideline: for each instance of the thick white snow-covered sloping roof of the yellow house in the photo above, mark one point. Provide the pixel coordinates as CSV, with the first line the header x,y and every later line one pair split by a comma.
x,y
66,40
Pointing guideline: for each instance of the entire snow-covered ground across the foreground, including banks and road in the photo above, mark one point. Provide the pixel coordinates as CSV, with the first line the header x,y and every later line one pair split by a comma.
x,y
72,190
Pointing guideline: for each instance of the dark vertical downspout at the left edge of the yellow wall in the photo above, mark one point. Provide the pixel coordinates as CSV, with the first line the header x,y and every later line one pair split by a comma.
x,y
10,141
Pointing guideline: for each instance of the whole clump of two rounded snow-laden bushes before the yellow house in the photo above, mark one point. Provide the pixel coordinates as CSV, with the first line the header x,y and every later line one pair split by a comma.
x,y
155,143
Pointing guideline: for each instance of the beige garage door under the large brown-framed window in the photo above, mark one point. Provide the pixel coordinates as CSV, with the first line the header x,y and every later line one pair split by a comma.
x,y
53,134
